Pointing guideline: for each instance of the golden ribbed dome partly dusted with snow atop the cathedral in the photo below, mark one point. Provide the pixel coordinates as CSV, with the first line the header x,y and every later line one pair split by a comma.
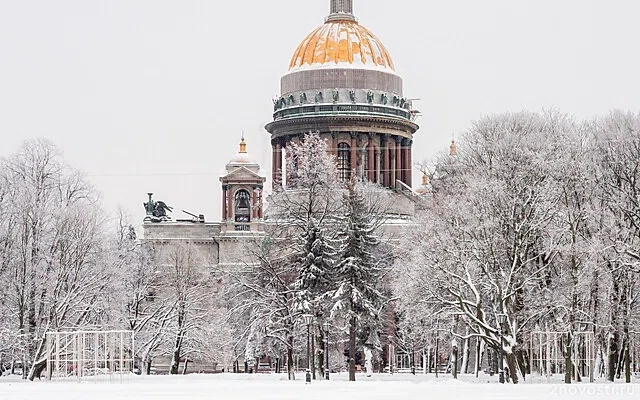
x,y
341,42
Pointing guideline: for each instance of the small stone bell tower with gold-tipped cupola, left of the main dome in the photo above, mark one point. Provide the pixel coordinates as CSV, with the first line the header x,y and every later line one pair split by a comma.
x,y
242,199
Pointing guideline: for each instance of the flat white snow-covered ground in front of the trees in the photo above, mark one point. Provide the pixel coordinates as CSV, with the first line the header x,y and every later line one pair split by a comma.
x,y
271,386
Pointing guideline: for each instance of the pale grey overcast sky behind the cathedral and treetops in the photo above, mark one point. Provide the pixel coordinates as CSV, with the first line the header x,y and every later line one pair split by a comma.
x,y
151,95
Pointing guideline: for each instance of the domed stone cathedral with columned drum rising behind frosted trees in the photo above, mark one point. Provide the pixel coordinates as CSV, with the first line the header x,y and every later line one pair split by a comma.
x,y
341,83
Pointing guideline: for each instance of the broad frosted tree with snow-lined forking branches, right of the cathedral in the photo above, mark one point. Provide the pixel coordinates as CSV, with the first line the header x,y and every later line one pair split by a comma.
x,y
481,243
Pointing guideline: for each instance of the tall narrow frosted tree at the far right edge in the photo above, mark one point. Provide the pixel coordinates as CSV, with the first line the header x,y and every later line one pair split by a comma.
x,y
616,145
